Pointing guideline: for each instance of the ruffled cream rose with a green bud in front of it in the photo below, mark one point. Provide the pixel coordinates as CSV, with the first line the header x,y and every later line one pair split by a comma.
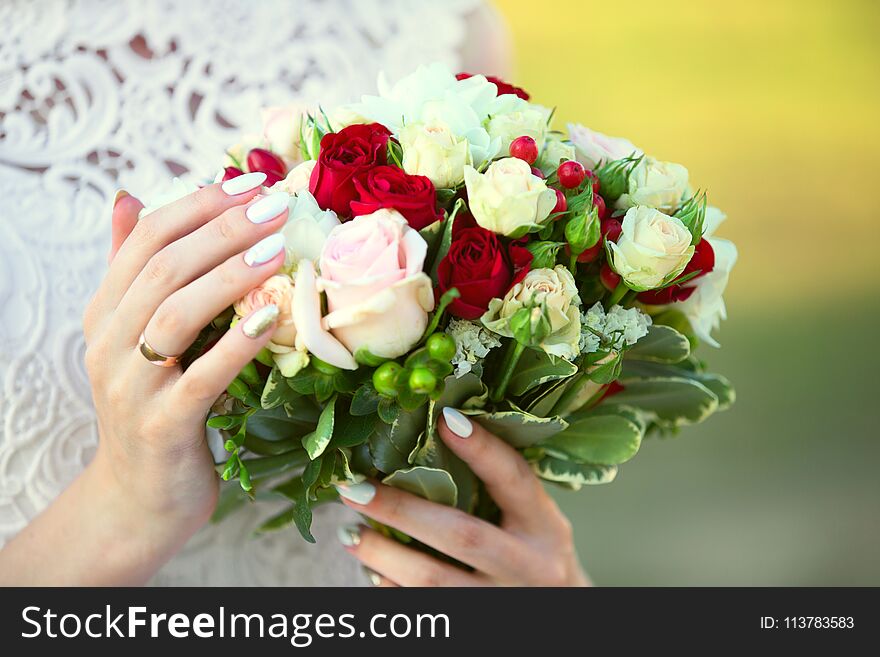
x,y
555,291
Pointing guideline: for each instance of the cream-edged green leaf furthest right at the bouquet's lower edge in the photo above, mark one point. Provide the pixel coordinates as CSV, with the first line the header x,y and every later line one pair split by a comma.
x,y
670,401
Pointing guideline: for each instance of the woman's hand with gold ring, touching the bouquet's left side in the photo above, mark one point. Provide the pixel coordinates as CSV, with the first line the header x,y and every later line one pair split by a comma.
x,y
170,274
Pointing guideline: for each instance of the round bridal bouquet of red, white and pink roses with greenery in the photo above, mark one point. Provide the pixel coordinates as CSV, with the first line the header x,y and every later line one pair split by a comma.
x,y
446,247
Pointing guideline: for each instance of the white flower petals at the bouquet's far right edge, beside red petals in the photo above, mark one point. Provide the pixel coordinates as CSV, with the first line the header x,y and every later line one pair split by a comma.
x,y
705,307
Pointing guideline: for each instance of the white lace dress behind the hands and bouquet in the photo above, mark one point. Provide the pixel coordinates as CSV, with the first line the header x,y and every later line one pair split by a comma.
x,y
82,114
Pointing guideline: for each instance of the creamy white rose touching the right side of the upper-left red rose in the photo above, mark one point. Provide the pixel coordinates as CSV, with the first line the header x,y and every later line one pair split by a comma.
x,y
435,152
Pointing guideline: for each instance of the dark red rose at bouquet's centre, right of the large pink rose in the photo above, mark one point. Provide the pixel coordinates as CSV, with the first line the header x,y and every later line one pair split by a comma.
x,y
481,267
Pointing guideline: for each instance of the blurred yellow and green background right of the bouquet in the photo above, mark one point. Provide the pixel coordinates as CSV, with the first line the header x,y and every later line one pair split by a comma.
x,y
774,107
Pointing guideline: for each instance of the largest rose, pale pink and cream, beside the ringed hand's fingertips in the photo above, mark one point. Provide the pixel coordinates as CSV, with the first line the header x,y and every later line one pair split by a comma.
x,y
378,297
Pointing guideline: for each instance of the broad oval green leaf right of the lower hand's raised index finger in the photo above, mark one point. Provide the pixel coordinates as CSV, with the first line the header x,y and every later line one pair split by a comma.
x,y
600,438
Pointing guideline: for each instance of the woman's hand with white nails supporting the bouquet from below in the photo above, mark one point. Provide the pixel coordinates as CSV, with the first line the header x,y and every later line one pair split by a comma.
x,y
532,547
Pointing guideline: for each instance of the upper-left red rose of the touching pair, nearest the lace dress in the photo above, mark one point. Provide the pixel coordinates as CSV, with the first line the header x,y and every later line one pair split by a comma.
x,y
343,155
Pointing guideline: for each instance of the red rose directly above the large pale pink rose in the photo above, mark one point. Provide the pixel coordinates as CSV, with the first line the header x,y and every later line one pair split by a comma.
x,y
389,187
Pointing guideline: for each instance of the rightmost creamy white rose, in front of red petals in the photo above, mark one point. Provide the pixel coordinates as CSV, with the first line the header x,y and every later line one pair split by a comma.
x,y
653,248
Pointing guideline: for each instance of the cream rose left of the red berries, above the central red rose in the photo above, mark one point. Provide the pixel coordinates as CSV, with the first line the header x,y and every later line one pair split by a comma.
x,y
508,198
